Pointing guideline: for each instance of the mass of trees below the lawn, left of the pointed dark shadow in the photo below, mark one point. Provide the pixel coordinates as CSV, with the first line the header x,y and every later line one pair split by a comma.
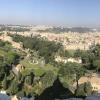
x,y
27,85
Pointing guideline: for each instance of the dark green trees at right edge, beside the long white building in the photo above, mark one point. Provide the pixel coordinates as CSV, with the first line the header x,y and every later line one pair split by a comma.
x,y
90,58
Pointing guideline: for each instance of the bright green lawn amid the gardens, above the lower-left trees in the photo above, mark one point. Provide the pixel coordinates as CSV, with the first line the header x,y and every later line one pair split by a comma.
x,y
36,68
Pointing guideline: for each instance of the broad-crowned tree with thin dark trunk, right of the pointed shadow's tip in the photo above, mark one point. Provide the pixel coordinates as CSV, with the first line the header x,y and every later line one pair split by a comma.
x,y
71,73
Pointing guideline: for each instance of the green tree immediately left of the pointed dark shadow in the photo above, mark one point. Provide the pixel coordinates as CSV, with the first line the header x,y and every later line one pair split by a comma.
x,y
46,80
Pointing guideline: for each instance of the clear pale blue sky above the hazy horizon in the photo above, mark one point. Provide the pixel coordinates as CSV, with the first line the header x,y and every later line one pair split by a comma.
x,y
51,12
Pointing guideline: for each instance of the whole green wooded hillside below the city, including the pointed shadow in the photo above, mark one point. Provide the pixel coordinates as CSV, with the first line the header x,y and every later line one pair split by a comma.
x,y
47,77
